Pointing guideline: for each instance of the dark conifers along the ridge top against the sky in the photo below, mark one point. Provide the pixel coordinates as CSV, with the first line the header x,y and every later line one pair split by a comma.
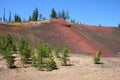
x,y
35,16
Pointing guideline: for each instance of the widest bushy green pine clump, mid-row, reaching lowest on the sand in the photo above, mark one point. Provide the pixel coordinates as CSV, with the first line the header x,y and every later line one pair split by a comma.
x,y
44,57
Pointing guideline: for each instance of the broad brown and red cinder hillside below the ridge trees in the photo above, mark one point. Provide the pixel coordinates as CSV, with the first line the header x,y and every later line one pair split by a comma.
x,y
79,38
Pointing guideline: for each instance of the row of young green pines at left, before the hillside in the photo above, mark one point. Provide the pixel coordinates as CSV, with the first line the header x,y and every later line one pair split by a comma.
x,y
42,56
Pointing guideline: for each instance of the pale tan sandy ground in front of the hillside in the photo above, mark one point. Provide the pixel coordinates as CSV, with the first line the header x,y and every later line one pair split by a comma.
x,y
83,68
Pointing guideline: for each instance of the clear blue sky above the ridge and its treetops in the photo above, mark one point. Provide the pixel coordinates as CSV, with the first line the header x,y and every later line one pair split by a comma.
x,y
92,12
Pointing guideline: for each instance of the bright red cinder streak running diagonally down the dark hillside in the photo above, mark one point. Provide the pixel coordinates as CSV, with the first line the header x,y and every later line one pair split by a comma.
x,y
79,42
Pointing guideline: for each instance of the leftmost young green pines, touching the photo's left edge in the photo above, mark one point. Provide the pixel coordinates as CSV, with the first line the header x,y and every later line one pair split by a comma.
x,y
7,48
